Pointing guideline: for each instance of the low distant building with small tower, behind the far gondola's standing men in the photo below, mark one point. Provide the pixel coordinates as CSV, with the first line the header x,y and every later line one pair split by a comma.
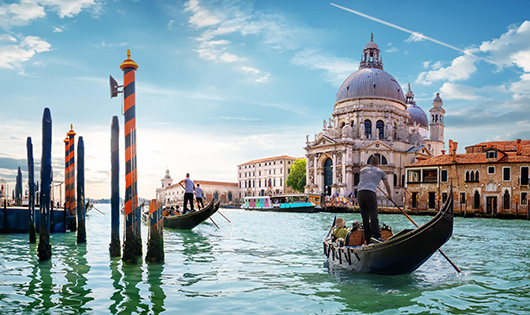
x,y
170,193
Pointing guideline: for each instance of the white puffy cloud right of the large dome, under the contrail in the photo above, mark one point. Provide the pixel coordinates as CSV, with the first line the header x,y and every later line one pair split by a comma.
x,y
461,68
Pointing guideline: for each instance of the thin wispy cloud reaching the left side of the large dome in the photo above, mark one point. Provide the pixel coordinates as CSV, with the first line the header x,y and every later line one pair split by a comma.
x,y
335,69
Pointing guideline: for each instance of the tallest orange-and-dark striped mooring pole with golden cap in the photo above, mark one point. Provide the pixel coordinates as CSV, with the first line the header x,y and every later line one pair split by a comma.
x,y
132,247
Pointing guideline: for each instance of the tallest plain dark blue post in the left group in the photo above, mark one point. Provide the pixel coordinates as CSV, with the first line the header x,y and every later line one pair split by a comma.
x,y
46,177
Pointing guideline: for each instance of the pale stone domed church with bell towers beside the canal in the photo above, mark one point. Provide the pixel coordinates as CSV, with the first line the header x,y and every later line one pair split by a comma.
x,y
372,116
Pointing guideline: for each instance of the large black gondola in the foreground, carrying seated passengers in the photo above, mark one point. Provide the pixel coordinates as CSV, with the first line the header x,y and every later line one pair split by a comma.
x,y
401,253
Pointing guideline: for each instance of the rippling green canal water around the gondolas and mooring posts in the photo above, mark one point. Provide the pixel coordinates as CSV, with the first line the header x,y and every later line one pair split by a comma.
x,y
265,263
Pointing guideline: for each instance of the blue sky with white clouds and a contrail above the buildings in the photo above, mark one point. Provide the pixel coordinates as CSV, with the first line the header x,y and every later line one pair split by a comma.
x,y
221,83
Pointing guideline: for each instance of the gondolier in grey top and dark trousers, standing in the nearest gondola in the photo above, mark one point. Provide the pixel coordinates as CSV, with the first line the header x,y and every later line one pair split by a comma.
x,y
370,177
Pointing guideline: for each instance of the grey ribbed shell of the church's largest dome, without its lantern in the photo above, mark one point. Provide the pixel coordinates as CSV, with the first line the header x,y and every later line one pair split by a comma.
x,y
370,82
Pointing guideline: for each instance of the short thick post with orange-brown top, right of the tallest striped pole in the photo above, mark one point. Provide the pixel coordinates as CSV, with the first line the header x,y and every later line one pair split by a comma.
x,y
155,245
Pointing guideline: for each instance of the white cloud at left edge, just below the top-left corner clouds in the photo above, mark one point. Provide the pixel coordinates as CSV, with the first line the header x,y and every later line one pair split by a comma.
x,y
14,56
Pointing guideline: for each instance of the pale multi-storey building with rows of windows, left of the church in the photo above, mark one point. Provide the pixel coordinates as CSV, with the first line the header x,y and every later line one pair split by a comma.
x,y
264,177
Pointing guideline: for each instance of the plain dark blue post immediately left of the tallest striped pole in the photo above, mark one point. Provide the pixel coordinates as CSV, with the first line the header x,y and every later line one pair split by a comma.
x,y
114,247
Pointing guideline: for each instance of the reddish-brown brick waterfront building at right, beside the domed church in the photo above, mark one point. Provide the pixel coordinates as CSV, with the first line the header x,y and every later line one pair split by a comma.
x,y
490,178
